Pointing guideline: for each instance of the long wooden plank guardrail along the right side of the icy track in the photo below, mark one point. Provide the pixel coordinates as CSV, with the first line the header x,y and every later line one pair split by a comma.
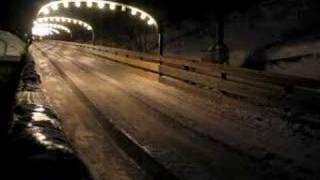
x,y
243,83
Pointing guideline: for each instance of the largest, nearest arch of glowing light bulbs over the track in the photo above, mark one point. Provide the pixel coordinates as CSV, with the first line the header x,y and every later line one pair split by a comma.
x,y
101,4
